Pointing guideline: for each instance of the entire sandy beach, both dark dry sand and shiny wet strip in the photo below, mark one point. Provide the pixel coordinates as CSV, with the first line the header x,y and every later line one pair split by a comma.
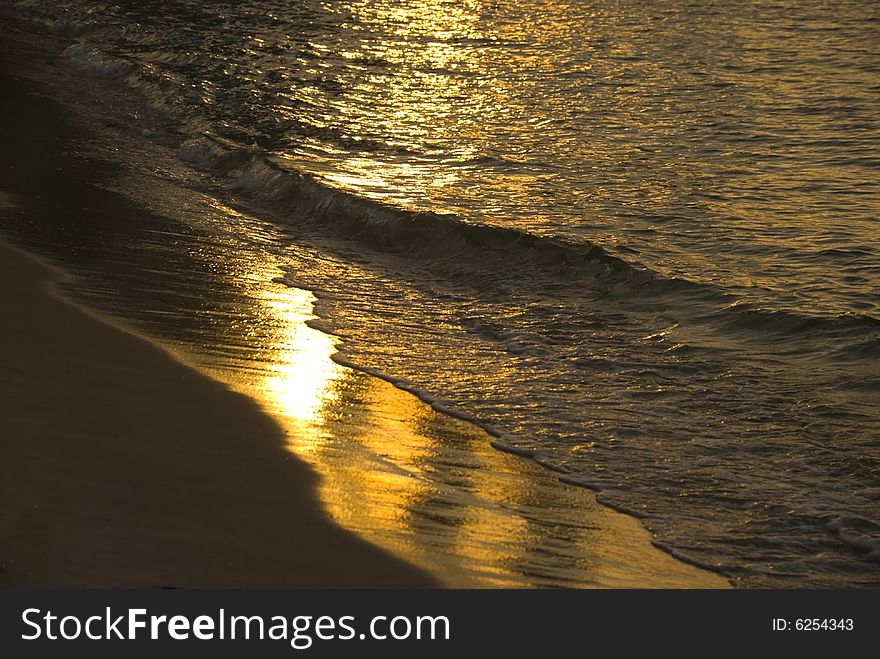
x,y
126,467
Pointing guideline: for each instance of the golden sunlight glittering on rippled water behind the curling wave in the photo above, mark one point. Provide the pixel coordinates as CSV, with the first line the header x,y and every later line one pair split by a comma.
x,y
429,123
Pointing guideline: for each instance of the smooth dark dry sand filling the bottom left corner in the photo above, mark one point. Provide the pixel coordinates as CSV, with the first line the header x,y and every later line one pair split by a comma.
x,y
122,467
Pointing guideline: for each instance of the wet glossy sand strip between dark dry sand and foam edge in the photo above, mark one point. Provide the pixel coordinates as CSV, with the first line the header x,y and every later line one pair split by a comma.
x,y
376,448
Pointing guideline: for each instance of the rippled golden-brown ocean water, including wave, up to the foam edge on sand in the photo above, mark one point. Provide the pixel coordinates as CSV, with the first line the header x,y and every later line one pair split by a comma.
x,y
639,243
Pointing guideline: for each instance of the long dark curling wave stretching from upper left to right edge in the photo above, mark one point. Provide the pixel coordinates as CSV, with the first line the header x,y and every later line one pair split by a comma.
x,y
446,245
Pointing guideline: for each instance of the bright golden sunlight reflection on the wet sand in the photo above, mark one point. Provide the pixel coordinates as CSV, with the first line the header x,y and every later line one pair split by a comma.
x,y
430,488
